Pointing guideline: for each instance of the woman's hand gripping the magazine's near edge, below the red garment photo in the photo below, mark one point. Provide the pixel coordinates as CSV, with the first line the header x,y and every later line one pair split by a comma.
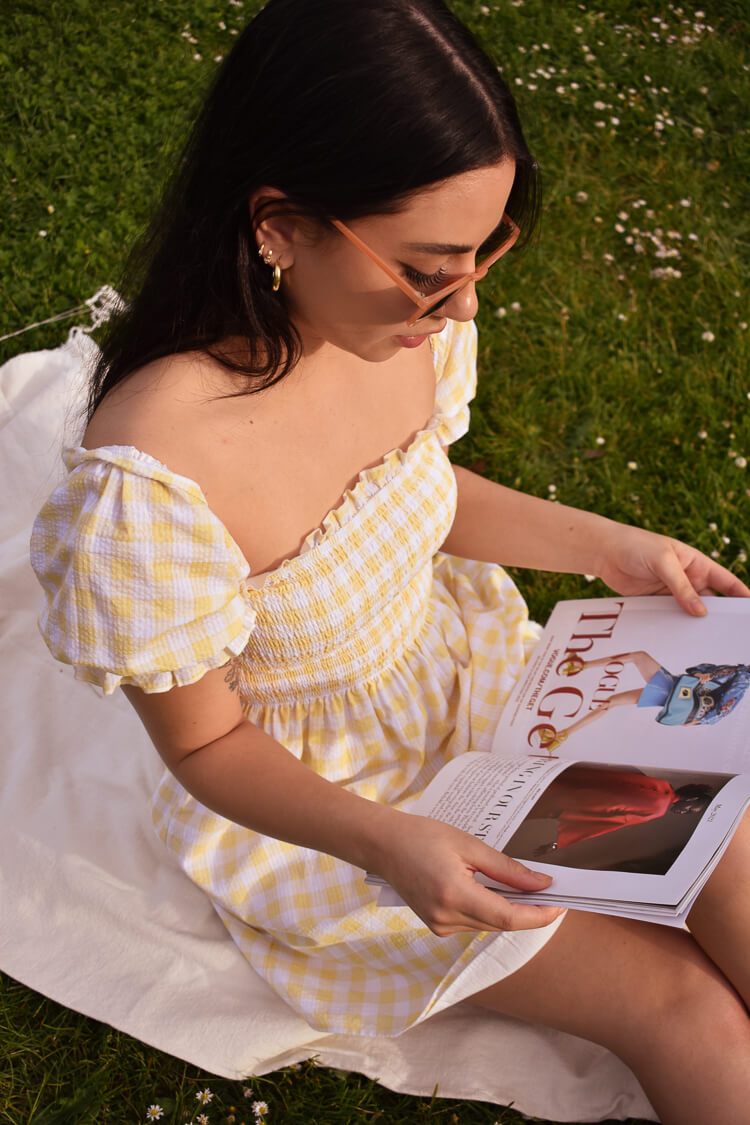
x,y
432,867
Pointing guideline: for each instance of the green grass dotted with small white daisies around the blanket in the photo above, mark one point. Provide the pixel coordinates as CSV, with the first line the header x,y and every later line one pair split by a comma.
x,y
597,365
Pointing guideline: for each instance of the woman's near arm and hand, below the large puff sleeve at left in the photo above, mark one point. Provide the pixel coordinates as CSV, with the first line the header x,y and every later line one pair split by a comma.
x,y
243,775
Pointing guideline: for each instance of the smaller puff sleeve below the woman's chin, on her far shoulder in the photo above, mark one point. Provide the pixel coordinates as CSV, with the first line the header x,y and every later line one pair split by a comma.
x,y
456,368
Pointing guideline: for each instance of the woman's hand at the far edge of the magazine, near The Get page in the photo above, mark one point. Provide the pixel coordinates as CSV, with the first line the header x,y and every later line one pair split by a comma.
x,y
638,562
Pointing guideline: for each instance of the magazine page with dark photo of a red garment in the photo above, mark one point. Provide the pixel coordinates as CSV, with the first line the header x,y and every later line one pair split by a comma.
x,y
631,840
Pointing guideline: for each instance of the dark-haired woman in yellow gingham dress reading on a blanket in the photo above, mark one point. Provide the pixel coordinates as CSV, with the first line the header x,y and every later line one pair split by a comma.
x,y
264,543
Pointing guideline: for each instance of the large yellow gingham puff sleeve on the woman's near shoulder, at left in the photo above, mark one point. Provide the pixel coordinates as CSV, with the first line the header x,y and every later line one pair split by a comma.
x,y
143,584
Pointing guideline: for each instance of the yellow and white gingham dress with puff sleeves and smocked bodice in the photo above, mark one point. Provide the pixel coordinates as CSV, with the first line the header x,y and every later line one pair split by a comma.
x,y
372,656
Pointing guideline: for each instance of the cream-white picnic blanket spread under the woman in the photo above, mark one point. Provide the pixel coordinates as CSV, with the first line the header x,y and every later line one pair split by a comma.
x,y
96,915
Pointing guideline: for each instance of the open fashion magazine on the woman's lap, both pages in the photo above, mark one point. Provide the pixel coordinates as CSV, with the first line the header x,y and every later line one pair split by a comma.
x,y
618,764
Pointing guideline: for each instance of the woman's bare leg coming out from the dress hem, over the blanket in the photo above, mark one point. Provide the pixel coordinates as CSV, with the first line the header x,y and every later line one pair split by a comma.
x,y
652,996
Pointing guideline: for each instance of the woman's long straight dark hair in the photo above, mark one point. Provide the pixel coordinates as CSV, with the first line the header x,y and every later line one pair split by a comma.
x,y
347,107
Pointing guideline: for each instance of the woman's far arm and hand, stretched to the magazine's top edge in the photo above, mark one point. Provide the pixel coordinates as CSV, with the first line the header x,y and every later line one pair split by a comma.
x,y
499,525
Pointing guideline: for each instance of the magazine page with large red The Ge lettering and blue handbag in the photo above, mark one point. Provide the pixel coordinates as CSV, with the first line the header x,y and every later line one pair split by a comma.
x,y
637,679
